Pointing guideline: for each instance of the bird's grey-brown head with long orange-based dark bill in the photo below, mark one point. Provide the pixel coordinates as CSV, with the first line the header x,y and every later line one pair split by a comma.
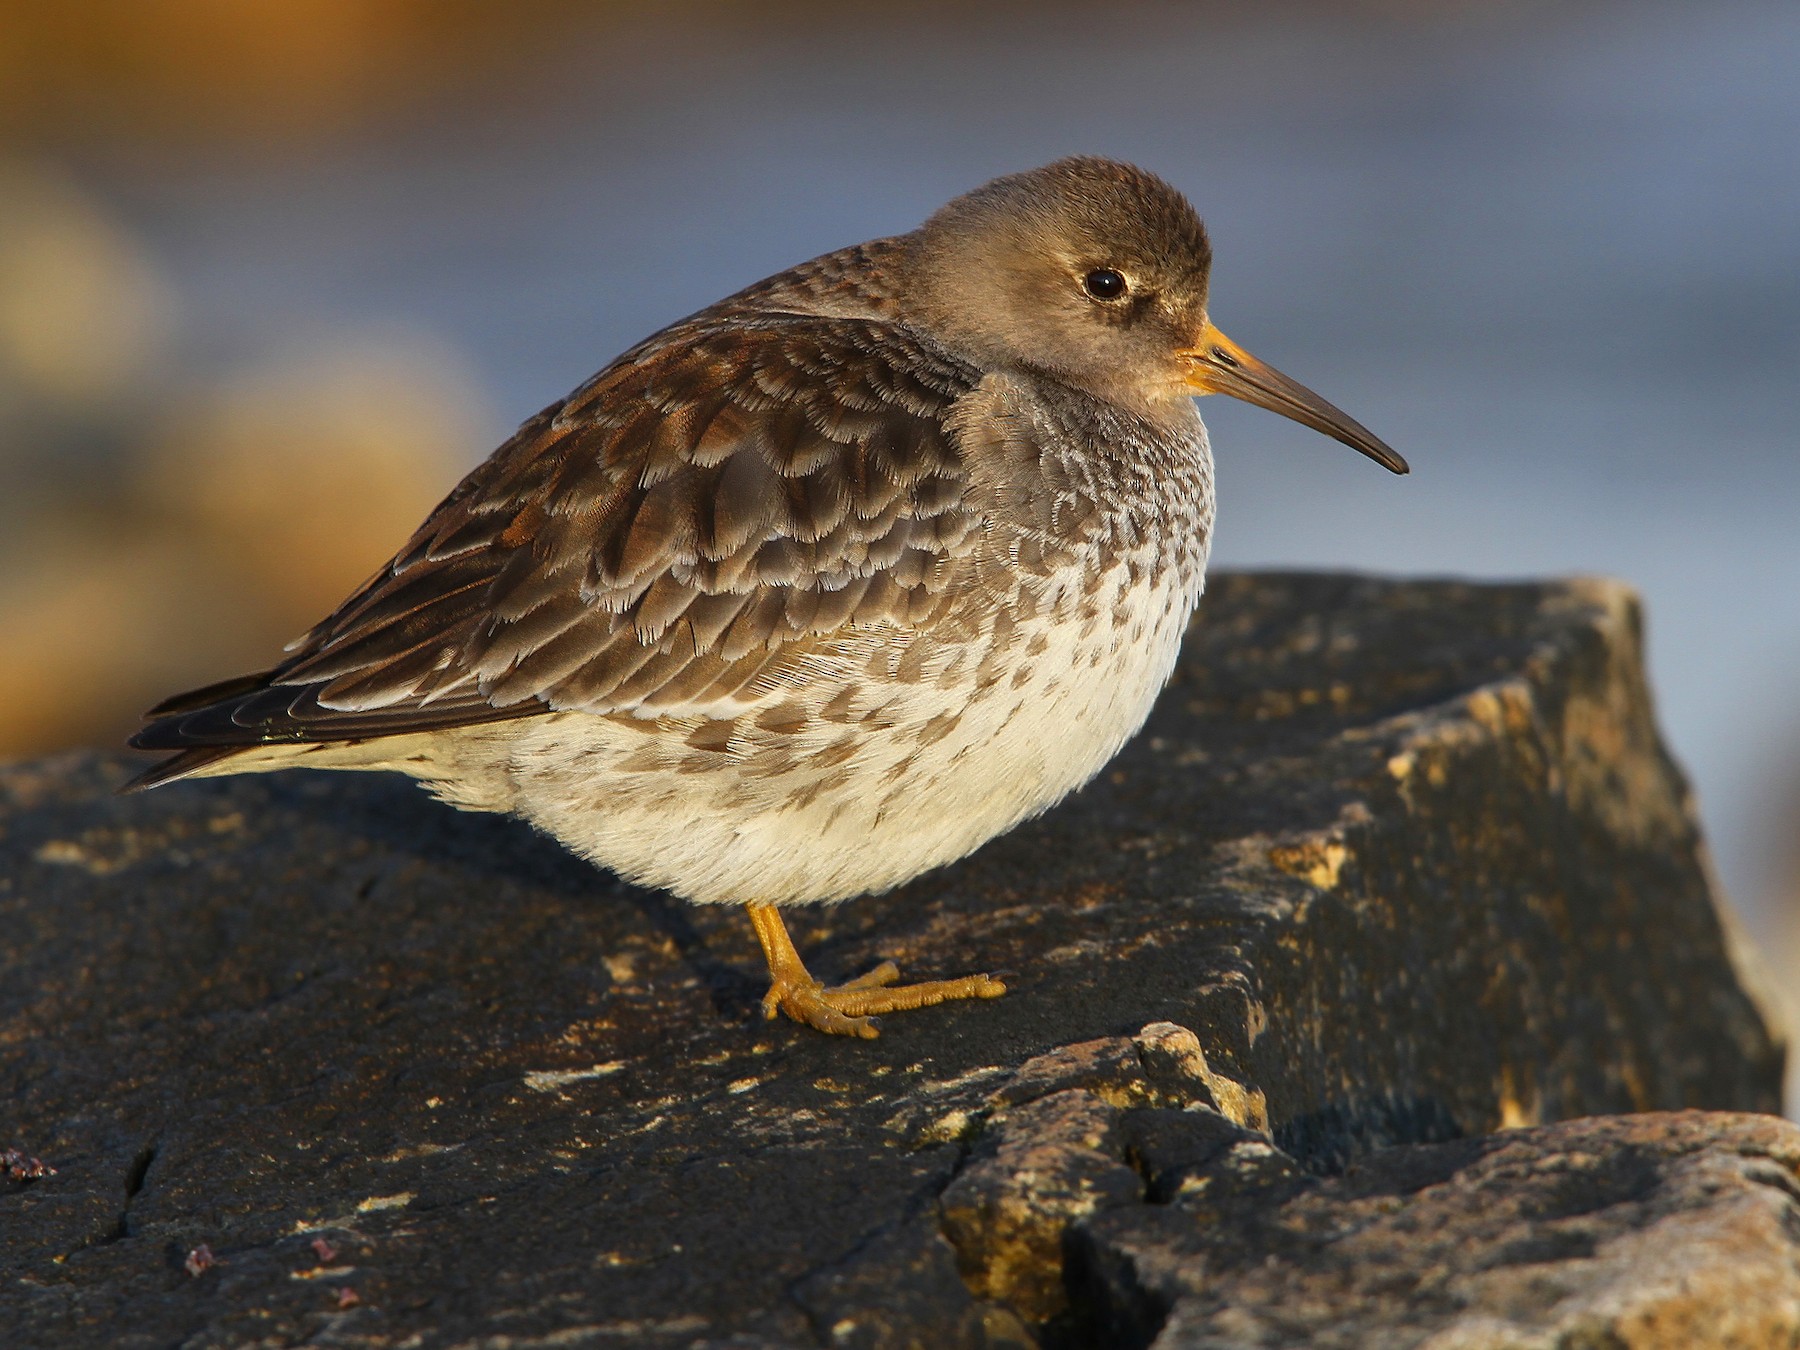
x,y
1097,273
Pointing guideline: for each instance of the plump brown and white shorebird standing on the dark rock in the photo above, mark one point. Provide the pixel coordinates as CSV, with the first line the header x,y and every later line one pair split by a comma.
x,y
816,589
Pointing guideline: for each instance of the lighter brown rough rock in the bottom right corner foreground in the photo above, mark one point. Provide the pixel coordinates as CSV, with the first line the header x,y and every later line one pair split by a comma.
x,y
1637,1232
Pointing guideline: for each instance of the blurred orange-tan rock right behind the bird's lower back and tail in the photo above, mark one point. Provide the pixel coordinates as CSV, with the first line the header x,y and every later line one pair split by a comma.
x,y
249,516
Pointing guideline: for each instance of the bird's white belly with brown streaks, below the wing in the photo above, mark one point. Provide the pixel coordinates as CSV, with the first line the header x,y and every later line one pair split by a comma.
x,y
924,775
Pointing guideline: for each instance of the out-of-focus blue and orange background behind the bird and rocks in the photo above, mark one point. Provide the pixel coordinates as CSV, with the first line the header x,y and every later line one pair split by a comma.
x,y
273,276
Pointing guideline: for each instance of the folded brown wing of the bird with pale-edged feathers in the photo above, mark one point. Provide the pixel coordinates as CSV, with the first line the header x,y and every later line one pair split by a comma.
x,y
678,535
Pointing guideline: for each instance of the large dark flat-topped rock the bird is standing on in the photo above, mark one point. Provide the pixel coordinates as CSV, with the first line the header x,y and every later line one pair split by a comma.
x,y
319,1061
